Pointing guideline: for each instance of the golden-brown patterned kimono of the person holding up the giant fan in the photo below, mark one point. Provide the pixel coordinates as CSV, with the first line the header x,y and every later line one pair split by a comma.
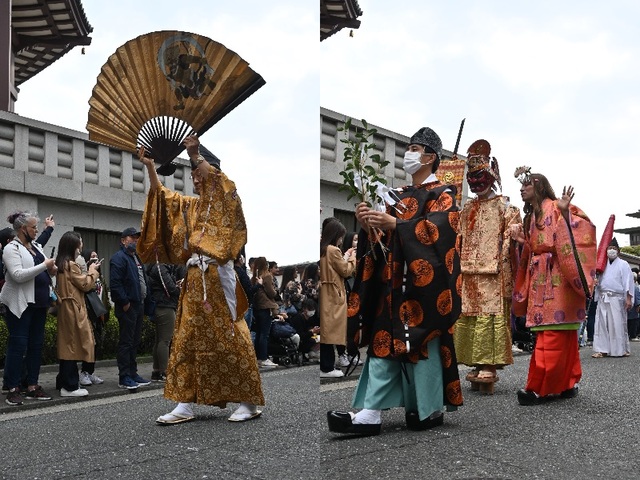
x,y
212,360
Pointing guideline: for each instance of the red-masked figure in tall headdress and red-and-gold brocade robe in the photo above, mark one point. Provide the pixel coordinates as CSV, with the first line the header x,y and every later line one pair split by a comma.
x,y
483,332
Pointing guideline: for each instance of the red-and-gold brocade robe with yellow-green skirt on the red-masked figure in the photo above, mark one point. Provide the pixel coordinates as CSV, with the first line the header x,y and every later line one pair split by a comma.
x,y
483,331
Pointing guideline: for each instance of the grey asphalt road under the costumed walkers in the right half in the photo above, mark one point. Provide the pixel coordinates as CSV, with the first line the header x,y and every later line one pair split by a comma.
x,y
595,435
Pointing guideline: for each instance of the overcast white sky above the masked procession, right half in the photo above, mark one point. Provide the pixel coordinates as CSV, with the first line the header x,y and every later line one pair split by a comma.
x,y
552,85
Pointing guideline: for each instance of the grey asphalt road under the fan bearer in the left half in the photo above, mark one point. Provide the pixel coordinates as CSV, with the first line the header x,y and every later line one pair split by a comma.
x,y
117,437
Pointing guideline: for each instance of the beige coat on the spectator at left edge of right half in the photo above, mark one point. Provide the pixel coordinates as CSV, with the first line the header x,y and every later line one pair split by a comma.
x,y
333,302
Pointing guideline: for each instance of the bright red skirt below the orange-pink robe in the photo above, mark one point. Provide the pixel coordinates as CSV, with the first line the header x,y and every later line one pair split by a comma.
x,y
555,362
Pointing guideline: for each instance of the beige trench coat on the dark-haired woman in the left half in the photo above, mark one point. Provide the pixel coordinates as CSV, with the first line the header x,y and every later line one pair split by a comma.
x,y
75,336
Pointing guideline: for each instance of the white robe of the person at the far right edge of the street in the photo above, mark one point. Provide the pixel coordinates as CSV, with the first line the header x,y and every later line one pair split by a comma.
x,y
610,334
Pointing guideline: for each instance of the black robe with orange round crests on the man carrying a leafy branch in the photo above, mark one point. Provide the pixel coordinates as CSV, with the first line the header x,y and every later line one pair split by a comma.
x,y
414,288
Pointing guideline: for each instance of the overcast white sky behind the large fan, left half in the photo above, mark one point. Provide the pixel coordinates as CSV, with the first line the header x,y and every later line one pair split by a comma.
x,y
268,145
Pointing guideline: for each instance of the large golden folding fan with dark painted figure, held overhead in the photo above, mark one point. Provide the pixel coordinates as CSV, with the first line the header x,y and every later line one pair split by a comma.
x,y
160,87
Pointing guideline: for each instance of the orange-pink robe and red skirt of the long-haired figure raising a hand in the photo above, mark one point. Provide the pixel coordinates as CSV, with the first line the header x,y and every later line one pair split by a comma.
x,y
549,290
